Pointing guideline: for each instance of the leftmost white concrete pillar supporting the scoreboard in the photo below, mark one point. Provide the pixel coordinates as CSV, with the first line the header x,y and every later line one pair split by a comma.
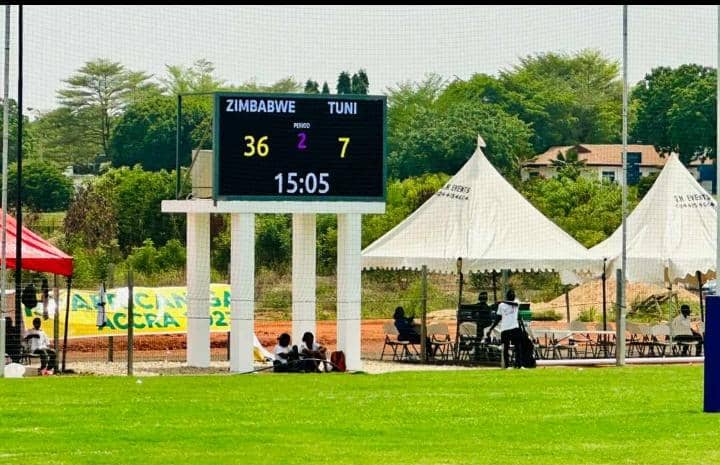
x,y
198,289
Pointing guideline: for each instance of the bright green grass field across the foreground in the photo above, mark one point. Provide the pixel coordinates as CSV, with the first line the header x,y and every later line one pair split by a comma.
x,y
634,415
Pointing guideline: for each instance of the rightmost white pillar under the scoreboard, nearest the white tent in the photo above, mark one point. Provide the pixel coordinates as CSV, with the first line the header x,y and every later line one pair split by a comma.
x,y
348,289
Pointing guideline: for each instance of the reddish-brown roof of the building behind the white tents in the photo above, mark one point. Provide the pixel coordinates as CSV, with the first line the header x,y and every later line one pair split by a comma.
x,y
600,155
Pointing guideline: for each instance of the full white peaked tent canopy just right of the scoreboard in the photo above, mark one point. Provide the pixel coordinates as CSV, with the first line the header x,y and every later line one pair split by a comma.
x,y
479,217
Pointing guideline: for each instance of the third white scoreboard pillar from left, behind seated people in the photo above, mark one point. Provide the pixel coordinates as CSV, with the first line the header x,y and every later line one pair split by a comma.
x,y
304,275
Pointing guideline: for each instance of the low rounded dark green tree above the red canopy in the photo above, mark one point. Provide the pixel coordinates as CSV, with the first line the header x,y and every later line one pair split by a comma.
x,y
45,188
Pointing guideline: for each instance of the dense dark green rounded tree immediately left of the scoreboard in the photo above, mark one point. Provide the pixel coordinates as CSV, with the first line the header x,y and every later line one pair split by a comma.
x,y
146,132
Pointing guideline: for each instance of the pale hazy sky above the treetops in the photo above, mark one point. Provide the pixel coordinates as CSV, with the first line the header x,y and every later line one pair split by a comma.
x,y
393,44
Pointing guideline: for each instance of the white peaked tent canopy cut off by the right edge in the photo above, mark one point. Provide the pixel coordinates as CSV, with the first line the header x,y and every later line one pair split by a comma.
x,y
670,234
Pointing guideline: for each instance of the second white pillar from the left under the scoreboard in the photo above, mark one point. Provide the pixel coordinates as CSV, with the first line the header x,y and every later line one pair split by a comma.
x,y
242,291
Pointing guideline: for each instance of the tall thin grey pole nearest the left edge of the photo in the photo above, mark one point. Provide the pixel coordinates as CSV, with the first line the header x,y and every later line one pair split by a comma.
x,y
3,260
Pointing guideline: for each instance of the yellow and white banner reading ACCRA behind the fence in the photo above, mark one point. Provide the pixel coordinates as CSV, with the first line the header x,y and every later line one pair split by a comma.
x,y
158,310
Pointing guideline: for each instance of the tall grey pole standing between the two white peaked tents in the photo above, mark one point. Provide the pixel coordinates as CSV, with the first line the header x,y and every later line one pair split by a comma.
x,y
620,320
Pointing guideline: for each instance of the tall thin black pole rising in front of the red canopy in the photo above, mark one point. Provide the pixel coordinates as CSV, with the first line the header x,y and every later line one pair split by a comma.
x,y
18,201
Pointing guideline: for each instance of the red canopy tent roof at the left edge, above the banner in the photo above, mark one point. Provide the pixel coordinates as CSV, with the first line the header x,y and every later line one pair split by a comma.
x,y
37,253
